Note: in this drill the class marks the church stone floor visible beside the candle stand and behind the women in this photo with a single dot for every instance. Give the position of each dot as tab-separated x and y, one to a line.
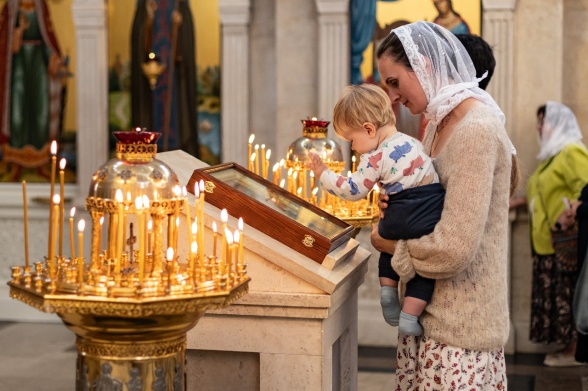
41	356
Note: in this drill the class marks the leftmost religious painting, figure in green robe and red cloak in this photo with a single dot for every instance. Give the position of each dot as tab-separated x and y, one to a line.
37	41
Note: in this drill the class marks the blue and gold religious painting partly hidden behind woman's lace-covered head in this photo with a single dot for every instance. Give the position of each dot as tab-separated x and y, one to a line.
371	21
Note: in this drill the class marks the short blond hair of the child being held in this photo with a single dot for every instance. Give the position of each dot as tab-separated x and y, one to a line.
359	104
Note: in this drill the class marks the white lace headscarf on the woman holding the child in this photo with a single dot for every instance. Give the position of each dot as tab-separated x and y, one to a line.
450	78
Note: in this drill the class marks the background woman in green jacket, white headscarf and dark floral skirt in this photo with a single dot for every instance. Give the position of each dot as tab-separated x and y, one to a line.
552	196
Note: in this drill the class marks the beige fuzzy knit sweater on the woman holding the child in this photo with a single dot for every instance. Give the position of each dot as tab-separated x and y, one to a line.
467	251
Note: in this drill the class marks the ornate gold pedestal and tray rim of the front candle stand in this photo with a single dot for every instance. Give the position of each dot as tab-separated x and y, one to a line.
134	343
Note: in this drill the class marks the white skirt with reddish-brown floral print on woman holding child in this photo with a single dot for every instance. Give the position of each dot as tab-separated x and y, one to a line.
425	364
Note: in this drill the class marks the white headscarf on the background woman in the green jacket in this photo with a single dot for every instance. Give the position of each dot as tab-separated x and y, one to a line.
560	128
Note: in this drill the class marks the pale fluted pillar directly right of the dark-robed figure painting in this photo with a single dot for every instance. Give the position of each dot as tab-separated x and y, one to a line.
234	16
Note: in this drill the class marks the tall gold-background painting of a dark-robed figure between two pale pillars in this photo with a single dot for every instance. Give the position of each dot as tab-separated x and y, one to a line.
164	73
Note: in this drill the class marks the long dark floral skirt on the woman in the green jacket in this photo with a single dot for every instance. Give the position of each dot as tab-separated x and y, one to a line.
554	279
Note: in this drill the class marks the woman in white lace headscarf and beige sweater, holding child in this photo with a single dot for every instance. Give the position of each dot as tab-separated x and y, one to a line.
427	69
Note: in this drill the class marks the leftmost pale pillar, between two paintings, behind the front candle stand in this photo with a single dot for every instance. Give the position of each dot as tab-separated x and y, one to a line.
92	94
